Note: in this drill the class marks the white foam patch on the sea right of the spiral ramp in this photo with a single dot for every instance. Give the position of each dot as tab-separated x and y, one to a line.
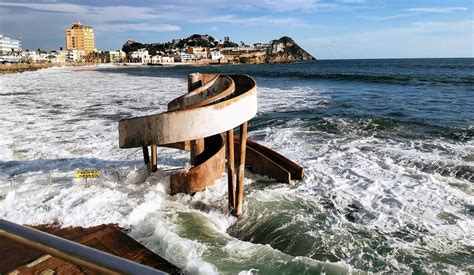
391	192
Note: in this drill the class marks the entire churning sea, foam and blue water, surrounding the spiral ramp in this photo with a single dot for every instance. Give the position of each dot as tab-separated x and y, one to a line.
387	147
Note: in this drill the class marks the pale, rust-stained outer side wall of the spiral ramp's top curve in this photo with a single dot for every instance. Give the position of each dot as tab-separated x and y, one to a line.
190	124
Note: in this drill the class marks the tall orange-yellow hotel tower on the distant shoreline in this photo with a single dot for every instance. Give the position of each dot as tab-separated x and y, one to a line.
80	37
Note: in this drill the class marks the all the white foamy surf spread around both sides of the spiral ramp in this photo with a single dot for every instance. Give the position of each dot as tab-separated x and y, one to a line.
53	122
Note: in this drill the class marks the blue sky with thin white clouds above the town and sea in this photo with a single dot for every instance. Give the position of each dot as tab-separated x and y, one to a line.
327	29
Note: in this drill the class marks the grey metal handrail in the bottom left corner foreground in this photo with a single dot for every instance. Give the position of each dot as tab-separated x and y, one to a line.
72	252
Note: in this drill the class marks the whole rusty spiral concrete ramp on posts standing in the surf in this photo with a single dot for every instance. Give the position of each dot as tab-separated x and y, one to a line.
203	121
